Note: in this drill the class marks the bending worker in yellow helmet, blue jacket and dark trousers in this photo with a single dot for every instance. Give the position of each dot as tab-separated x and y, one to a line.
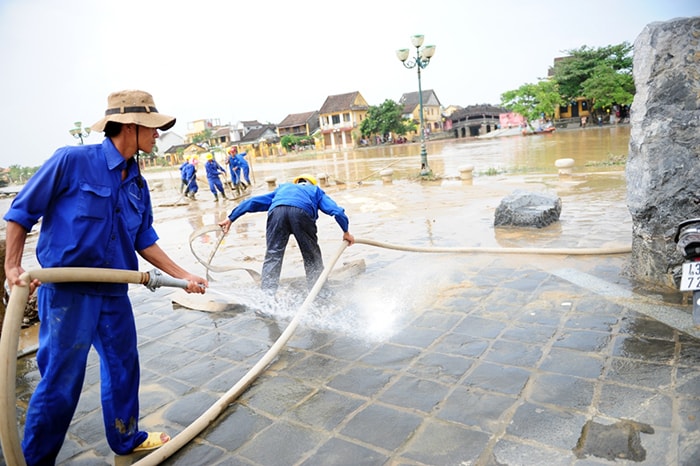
292	209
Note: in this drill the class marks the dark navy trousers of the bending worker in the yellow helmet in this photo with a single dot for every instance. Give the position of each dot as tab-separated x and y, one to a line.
283	221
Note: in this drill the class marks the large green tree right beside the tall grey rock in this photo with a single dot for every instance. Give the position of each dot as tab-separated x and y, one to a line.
603	75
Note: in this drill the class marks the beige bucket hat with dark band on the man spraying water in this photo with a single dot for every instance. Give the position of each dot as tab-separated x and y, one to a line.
134	107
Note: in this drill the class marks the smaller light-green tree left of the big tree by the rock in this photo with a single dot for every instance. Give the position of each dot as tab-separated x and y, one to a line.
533	100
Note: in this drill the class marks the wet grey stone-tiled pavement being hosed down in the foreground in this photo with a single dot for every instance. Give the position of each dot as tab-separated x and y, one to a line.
445	359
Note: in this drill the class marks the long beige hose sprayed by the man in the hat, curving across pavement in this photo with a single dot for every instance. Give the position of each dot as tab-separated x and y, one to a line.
9	339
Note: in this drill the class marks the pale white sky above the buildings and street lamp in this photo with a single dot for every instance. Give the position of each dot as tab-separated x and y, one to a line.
234	60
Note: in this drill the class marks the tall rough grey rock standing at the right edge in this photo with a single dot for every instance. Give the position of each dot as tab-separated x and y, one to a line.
663	166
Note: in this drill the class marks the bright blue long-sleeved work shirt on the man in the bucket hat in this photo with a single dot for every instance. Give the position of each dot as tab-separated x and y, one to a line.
90	217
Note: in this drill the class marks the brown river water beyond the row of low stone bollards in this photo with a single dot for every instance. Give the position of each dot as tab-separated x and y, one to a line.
591	148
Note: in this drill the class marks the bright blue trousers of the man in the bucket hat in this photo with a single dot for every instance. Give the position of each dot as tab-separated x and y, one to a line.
70	324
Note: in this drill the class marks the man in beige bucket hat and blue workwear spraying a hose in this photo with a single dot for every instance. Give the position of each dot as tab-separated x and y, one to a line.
96	212
